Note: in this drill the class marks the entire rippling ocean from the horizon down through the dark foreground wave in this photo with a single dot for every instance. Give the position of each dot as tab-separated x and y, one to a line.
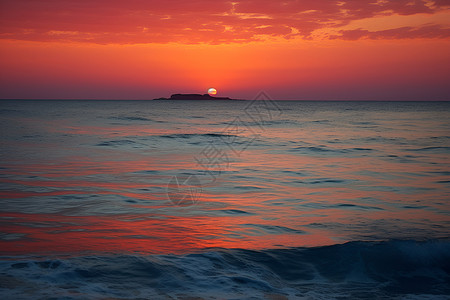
224	200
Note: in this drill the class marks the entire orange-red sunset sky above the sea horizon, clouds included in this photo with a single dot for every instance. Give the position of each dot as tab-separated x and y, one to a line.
290	49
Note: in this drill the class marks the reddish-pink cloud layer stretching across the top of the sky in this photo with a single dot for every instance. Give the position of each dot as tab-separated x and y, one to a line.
199	21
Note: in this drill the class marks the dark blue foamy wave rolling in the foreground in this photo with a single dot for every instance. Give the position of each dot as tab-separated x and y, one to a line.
355	270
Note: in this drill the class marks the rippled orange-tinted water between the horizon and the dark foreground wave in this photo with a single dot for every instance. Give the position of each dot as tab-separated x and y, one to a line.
94	177
